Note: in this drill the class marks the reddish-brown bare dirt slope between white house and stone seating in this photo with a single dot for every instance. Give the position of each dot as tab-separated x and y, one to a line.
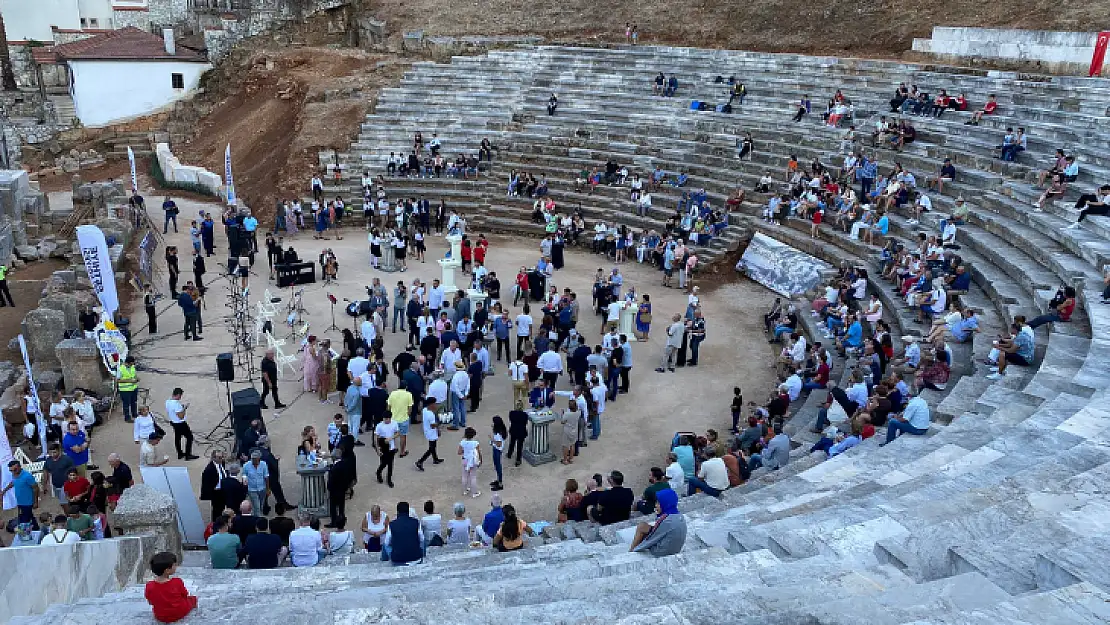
279	106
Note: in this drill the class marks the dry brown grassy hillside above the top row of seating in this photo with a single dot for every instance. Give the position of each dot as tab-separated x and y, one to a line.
857	27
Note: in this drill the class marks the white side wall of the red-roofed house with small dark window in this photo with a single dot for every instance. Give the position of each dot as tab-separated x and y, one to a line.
110	92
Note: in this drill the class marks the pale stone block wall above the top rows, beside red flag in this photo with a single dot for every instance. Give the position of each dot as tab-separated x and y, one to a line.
1063	52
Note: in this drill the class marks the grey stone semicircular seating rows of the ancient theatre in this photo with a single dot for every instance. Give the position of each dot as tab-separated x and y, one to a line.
997	517
